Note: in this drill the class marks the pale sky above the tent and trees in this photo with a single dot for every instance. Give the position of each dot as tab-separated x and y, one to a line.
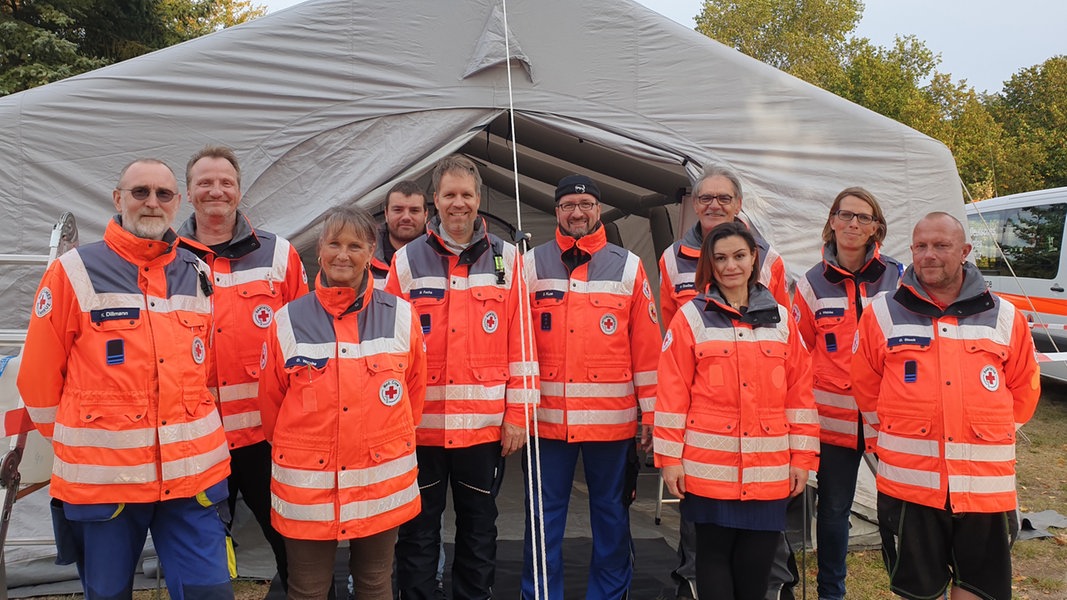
984	42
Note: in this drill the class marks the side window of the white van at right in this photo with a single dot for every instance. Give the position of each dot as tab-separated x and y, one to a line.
1030	238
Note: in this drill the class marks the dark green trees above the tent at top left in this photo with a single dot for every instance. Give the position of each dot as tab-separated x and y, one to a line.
45	41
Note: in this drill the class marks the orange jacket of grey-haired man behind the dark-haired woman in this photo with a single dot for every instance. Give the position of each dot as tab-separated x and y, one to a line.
678	271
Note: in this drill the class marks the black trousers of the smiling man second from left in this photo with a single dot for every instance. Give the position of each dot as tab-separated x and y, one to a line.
250	475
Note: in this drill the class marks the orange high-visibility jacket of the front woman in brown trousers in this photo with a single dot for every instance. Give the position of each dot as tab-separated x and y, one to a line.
341	394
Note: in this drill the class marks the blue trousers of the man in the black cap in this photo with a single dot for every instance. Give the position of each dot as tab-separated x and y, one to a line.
612	564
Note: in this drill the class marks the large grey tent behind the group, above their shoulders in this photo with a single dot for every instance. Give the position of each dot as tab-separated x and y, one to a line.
329	102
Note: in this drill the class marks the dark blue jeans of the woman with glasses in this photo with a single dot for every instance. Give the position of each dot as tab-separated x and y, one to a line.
838	468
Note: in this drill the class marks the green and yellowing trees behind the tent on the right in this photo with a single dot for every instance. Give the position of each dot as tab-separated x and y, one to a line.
1004	144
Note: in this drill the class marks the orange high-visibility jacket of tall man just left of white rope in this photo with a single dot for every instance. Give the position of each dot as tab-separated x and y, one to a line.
479	372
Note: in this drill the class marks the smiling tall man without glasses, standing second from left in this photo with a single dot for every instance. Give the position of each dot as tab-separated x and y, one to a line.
254	274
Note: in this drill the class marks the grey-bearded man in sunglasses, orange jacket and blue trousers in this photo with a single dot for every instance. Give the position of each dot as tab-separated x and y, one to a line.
120	343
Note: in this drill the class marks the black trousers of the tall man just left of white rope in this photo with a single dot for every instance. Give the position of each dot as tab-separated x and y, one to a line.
475	475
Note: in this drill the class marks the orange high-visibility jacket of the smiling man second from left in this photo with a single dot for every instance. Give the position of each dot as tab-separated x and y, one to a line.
253	278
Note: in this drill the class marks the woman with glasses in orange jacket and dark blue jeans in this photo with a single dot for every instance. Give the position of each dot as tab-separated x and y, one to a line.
827	306
